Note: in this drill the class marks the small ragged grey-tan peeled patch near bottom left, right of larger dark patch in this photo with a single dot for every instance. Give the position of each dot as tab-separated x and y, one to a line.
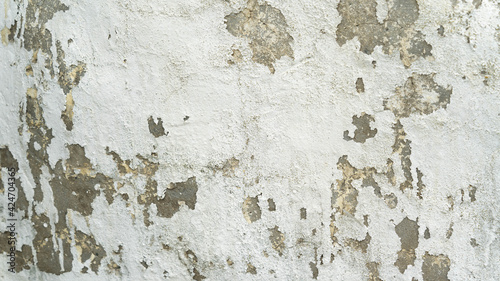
90	249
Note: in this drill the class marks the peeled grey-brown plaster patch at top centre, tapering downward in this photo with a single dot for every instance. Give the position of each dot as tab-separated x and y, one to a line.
266	28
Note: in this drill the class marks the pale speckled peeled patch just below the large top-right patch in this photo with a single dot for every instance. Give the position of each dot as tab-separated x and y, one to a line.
419	95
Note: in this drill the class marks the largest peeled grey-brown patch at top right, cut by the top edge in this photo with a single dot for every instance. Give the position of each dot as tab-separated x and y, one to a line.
397	32
